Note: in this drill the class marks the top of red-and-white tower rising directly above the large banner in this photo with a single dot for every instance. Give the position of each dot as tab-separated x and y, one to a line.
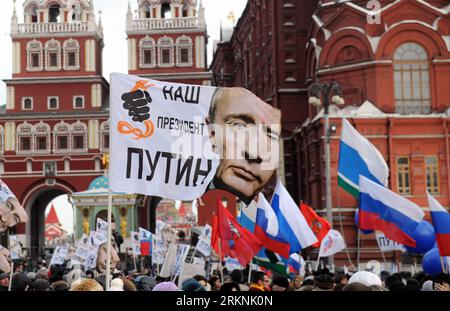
167	41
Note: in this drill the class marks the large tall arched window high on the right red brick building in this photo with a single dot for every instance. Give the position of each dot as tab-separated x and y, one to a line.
412	79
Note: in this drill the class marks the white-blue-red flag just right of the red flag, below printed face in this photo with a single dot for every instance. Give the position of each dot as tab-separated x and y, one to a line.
267	228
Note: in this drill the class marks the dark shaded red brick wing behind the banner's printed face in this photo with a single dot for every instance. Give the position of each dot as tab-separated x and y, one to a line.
265	54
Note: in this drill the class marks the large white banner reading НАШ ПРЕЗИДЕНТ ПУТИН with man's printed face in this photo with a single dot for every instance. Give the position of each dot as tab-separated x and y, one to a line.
178	141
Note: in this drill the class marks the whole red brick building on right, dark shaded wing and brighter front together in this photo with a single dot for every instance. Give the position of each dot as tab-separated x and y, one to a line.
394	74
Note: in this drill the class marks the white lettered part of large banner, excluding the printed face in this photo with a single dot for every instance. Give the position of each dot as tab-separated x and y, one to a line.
154	124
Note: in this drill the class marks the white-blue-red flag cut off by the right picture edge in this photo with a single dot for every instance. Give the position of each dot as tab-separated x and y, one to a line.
441	223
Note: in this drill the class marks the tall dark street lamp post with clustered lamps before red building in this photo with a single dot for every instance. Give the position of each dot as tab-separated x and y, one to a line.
327	90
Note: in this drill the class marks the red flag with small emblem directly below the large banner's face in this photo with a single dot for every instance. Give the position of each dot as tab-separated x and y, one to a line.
236	241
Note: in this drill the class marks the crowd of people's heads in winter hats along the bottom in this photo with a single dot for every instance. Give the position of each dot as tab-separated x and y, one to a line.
71	277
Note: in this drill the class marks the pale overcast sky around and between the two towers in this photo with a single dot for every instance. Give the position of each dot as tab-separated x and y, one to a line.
115	58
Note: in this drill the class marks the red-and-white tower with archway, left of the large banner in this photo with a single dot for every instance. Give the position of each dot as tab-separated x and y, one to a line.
55	128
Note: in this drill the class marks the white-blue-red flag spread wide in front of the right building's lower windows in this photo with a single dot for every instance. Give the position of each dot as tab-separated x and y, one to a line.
384	210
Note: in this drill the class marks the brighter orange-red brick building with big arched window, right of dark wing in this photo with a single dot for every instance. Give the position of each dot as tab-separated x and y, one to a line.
395	76
